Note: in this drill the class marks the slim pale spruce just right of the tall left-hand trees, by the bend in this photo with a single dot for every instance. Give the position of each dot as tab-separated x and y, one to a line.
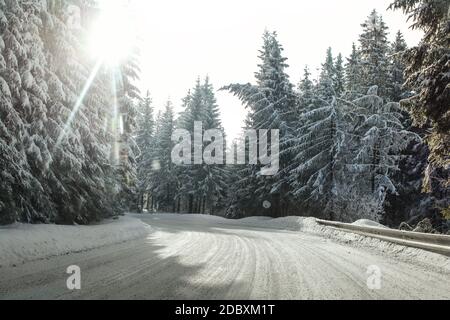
145	142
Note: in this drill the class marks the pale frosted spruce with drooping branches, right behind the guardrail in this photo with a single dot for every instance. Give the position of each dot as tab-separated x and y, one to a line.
380	139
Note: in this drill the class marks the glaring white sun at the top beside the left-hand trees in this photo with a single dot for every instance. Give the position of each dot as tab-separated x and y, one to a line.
113	34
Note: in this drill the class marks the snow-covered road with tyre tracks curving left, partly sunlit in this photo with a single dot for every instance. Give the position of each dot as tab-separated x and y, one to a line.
199	258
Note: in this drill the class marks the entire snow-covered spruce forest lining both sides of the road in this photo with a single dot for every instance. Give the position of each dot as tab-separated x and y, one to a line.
367	138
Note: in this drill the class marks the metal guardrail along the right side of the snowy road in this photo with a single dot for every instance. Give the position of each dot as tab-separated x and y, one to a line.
430	242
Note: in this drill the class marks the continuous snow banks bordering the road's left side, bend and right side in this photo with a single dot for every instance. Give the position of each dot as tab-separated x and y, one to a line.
22	243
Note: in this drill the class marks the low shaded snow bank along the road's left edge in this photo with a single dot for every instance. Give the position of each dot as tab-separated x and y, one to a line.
20	243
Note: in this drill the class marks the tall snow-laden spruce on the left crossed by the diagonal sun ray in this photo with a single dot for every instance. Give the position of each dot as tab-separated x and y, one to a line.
82	180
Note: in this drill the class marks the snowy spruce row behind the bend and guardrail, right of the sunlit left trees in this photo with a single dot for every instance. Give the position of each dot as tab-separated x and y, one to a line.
349	150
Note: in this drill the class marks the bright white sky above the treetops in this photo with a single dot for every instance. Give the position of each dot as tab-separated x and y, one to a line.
182	40
